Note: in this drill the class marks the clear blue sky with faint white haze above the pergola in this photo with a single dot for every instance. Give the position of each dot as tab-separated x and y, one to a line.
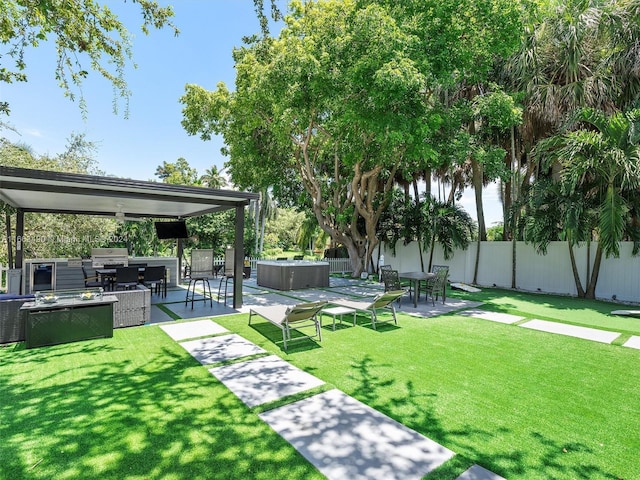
134	147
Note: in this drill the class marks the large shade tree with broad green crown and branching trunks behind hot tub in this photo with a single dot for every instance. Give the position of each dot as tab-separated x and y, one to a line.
335	103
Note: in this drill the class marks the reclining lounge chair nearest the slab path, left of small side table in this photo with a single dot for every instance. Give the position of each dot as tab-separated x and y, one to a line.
287	317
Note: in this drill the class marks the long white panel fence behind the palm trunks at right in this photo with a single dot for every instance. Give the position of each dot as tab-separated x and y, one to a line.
619	278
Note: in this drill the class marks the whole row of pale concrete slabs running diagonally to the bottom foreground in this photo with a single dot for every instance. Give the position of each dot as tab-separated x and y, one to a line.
341	436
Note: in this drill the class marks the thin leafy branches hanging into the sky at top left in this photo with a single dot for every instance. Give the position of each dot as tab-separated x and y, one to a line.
87	36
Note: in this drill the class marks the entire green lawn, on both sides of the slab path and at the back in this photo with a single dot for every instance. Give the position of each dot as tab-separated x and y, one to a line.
522	403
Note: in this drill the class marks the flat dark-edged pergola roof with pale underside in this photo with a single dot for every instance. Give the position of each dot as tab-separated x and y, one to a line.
56	192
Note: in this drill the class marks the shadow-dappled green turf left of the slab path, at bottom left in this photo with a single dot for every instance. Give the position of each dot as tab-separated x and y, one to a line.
137	406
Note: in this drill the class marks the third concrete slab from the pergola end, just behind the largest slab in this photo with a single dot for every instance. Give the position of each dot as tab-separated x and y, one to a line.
264	379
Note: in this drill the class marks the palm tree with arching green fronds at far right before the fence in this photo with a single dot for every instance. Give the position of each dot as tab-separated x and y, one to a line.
600	163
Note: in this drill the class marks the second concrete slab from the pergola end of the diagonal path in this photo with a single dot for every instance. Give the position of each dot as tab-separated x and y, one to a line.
220	349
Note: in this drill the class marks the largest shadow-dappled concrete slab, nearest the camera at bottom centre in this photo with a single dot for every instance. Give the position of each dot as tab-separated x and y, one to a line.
344	438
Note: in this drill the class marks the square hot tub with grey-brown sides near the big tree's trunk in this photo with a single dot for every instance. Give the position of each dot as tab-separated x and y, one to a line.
292	275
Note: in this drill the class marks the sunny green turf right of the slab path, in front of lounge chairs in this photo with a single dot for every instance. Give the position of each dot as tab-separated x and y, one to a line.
522	403
